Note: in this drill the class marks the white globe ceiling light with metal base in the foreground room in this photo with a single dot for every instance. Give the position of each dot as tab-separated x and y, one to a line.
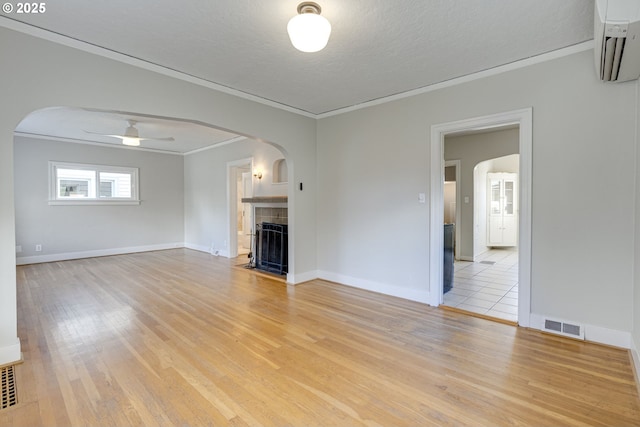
309	31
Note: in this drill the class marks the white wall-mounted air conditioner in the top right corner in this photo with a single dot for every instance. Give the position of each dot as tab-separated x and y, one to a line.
617	39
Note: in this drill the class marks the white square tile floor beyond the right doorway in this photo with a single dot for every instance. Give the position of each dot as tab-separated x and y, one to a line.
488	286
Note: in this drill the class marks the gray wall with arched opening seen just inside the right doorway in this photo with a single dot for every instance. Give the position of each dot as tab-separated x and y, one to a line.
471	150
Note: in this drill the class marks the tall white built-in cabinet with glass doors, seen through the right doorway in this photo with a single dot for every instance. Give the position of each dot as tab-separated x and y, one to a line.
503	209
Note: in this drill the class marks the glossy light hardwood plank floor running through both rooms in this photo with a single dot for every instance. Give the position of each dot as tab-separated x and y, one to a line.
180	337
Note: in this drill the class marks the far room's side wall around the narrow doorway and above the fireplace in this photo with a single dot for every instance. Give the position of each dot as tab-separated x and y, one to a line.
205	197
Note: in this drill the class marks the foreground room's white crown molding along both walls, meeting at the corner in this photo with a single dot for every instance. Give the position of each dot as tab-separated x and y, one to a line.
100	51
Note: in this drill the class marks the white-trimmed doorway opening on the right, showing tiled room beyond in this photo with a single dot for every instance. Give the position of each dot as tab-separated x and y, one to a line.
486	283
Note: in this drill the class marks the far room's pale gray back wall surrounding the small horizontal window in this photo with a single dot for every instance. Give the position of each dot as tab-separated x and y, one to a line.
75	231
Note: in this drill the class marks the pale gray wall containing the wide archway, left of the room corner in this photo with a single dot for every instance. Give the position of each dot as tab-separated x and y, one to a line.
37	73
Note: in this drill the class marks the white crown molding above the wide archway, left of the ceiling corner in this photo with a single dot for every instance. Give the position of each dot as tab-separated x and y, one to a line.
137	62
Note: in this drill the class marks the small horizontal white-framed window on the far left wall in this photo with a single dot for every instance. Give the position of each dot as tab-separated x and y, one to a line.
73	183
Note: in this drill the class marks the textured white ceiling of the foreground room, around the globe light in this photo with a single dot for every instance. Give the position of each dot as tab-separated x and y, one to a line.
378	48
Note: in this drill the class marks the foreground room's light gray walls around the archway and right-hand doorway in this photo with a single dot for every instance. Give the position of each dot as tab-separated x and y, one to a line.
359	220
